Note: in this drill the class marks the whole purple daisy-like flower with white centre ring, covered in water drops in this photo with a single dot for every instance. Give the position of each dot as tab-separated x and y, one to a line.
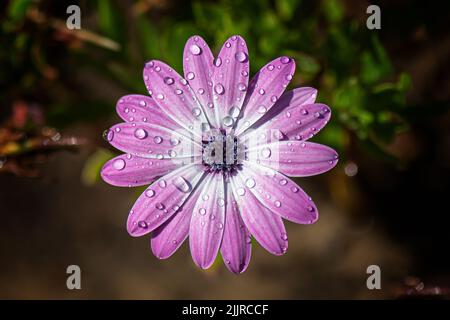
216	151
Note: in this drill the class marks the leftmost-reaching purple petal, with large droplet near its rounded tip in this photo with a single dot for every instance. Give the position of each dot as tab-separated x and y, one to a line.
132	171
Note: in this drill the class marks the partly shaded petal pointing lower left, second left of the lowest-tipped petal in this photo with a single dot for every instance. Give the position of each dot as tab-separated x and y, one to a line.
167	238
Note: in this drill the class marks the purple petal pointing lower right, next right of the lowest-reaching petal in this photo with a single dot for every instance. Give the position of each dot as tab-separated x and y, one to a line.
265	226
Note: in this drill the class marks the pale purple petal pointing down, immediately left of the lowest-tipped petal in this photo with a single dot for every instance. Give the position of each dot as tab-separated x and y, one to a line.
207	222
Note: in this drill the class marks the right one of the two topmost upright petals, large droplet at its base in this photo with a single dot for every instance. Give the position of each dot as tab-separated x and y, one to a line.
230	80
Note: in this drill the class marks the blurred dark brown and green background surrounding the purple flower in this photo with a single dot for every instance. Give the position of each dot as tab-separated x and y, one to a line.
384	204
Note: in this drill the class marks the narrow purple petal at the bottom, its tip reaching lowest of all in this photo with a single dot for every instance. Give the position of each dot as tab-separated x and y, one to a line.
236	245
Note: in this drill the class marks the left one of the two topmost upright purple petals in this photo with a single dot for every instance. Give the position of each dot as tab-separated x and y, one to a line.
198	69
